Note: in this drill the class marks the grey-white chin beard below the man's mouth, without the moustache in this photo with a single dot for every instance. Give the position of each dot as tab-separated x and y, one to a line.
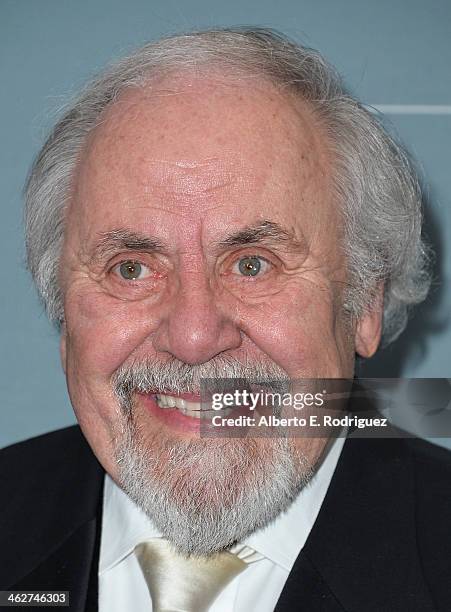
204	495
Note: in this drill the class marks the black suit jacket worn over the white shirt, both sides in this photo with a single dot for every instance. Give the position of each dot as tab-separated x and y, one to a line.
381	543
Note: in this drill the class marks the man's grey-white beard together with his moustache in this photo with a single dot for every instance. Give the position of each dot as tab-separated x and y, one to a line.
204	494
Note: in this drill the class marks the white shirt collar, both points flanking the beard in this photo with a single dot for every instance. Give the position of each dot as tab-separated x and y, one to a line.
124	525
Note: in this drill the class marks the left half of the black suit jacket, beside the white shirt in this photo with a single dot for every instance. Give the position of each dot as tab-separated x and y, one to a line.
51	533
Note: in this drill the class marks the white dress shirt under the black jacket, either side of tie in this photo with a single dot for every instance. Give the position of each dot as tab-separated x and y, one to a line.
258	587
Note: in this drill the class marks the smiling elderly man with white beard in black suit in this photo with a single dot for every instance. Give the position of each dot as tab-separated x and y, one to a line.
217	205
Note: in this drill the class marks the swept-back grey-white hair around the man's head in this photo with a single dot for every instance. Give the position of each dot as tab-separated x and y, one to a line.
376	185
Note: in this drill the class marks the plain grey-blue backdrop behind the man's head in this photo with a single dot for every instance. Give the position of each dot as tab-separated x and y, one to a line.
390	52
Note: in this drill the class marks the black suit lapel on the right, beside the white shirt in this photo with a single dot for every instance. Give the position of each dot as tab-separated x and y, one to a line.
361	553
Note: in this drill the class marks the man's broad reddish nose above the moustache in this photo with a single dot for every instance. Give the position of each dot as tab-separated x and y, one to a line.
195	329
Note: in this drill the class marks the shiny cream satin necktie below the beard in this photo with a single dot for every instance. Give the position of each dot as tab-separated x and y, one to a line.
188	584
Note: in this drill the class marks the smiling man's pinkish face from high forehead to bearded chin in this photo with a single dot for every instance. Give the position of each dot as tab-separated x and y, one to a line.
203	231
